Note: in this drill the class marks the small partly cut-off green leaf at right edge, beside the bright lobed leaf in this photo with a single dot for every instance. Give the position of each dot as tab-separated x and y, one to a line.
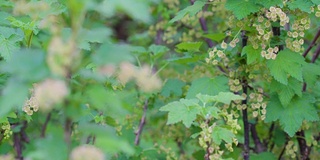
310	73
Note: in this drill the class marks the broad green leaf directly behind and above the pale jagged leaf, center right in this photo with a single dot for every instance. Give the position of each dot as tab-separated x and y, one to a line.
209	86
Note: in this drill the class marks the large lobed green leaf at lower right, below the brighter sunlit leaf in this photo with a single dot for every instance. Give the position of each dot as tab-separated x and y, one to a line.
292	116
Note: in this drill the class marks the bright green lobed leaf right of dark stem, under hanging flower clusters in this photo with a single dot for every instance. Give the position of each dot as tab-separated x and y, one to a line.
286	63
